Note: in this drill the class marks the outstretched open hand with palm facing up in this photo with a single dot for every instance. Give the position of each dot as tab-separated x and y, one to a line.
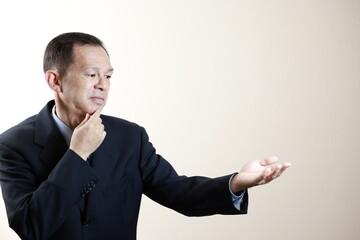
258	172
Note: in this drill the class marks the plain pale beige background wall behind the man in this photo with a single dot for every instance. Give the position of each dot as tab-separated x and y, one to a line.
216	84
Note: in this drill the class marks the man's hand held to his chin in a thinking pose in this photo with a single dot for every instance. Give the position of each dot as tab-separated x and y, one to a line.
88	135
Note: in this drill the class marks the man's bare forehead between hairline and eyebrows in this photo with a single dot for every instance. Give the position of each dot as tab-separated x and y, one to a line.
91	56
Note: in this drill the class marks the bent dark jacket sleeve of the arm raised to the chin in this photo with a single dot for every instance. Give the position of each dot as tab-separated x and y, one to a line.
37	209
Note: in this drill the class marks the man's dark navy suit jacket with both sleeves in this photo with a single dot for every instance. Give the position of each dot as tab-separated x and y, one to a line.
52	193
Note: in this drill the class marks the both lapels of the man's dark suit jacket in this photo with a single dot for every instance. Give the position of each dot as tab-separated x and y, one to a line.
103	160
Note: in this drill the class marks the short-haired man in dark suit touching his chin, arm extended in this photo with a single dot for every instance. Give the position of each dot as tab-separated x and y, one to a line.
70	173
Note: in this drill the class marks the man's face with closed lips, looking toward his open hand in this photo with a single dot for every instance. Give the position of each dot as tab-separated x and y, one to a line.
86	83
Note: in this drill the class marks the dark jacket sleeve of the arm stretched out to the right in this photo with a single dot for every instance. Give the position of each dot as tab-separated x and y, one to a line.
191	196
